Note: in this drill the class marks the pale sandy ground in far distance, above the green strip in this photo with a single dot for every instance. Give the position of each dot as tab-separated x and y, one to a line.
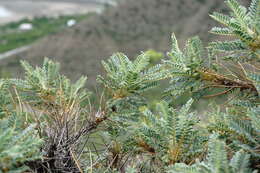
13	10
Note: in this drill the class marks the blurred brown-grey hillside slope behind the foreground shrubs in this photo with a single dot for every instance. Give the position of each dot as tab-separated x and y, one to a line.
131	27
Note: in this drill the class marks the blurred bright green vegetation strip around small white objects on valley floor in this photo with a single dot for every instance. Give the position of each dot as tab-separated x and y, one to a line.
12	37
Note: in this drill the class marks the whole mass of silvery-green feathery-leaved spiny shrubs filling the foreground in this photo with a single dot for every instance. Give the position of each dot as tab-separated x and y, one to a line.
50	124
